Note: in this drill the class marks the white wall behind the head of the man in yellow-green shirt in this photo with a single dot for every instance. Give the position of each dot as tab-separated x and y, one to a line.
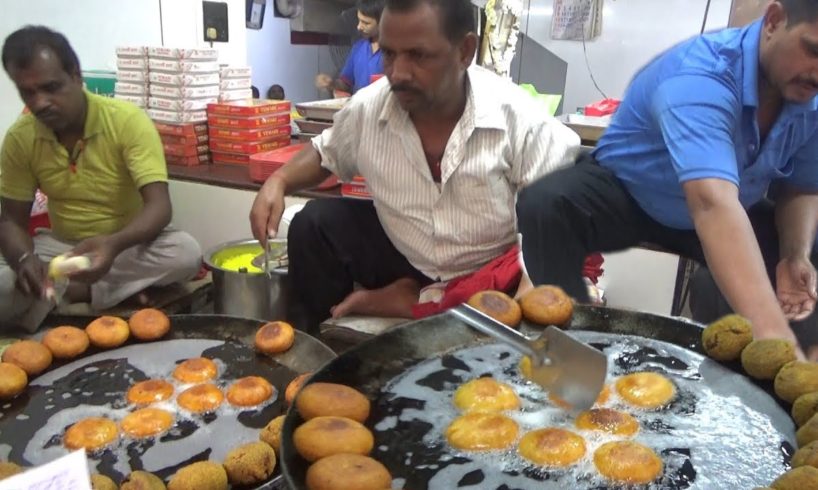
100	25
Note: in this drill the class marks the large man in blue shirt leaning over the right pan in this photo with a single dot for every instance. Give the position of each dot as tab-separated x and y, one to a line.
703	131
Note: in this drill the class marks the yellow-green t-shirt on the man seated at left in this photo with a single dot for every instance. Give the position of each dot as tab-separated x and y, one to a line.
120	153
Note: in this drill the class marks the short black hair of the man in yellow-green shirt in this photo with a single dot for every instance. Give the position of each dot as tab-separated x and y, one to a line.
22	45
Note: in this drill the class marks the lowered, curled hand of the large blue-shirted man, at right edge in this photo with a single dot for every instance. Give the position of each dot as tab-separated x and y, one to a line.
795	288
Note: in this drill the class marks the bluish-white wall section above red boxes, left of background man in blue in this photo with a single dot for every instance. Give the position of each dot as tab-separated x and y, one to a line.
276	61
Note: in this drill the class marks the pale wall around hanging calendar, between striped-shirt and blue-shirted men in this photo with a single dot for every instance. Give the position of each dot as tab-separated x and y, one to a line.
633	32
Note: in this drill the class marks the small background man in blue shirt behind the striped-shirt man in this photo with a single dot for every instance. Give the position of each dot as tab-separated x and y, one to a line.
365	59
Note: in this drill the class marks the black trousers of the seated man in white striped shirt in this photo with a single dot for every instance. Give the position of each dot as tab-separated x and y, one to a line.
334	244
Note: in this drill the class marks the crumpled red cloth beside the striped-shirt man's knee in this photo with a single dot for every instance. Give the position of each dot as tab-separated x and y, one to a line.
501	274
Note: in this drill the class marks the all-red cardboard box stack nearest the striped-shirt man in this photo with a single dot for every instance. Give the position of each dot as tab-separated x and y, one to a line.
242	128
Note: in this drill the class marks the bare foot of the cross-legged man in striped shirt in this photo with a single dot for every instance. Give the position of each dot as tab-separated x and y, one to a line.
394	300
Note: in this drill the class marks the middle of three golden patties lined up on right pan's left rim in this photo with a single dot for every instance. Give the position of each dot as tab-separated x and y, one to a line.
324	436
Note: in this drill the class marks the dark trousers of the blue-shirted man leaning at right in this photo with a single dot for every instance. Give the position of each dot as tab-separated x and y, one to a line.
578	210
